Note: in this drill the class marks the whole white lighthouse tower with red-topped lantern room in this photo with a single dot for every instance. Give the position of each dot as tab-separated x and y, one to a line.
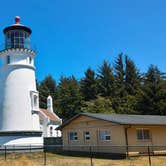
19	99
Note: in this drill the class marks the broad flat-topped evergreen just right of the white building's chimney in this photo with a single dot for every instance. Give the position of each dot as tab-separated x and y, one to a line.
69	97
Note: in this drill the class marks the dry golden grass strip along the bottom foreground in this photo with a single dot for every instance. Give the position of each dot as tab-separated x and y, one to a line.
58	160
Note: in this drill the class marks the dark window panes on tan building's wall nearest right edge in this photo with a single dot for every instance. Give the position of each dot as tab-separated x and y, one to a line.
143	134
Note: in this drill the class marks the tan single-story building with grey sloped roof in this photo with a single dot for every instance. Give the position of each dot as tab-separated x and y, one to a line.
115	133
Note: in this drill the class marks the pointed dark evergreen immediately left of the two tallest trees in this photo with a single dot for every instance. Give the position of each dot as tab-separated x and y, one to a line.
106	80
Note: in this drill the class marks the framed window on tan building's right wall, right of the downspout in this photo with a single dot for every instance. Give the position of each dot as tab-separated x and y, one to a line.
143	135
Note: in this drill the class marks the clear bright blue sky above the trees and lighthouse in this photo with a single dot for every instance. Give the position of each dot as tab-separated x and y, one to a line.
72	35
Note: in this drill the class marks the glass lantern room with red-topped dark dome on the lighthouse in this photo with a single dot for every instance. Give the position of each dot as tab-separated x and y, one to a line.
17	35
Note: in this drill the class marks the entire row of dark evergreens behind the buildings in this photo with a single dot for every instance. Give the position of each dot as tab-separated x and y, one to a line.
119	88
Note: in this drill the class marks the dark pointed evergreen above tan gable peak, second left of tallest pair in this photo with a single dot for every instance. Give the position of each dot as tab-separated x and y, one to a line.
88	85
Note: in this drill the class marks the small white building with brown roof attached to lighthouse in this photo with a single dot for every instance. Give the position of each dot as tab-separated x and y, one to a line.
49	121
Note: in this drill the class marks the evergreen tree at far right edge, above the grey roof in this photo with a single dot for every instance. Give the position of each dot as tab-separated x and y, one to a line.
152	100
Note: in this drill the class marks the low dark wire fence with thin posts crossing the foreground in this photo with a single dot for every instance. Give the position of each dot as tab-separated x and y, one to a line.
50	153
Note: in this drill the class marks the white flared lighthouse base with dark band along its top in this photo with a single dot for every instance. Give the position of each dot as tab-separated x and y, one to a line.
24	138
